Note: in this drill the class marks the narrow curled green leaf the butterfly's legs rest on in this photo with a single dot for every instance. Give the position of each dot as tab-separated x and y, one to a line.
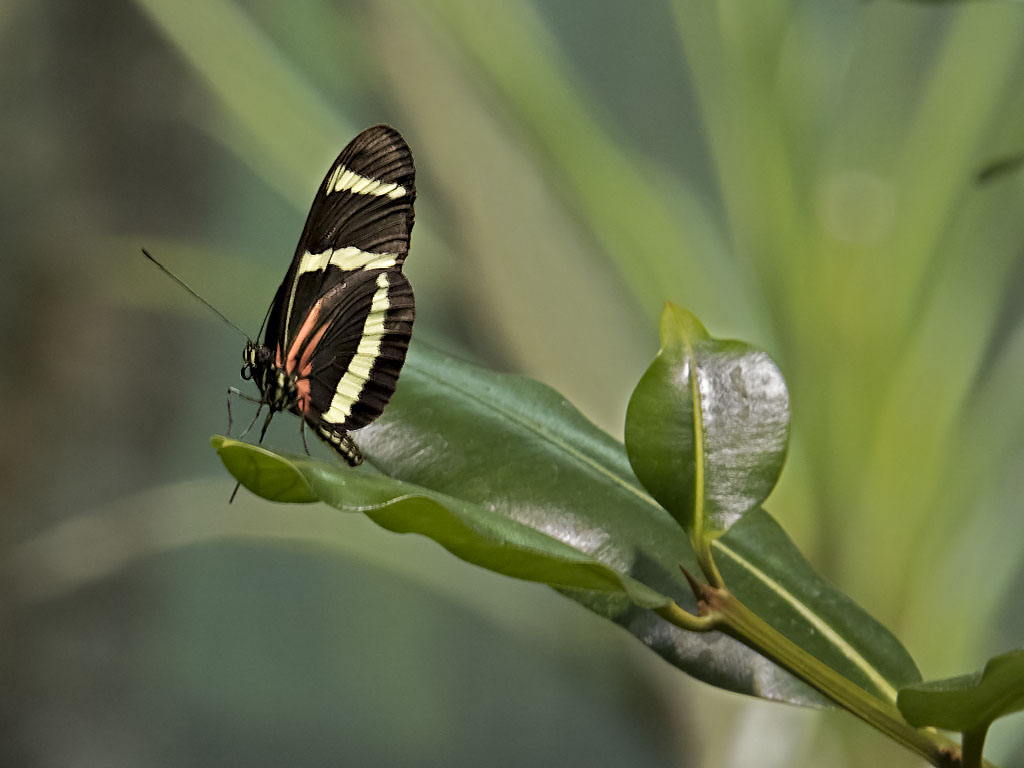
470	532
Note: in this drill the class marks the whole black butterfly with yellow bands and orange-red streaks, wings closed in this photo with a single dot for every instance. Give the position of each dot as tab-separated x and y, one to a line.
335	337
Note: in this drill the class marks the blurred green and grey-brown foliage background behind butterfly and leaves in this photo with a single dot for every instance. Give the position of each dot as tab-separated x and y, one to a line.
802	176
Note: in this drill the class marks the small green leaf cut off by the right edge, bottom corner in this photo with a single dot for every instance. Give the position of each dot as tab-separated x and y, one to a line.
968	703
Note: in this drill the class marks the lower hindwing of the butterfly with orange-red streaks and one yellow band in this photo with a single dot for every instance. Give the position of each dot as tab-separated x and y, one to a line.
350	351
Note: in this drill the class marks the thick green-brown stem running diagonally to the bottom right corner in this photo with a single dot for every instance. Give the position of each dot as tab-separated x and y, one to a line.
730	615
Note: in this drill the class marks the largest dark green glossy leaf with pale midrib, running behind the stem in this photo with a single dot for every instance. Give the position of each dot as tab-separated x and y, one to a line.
517	448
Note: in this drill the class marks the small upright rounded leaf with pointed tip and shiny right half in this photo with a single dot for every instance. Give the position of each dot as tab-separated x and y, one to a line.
708	426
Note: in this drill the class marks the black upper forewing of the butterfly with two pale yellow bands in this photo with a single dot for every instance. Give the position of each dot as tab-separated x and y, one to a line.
361	220
